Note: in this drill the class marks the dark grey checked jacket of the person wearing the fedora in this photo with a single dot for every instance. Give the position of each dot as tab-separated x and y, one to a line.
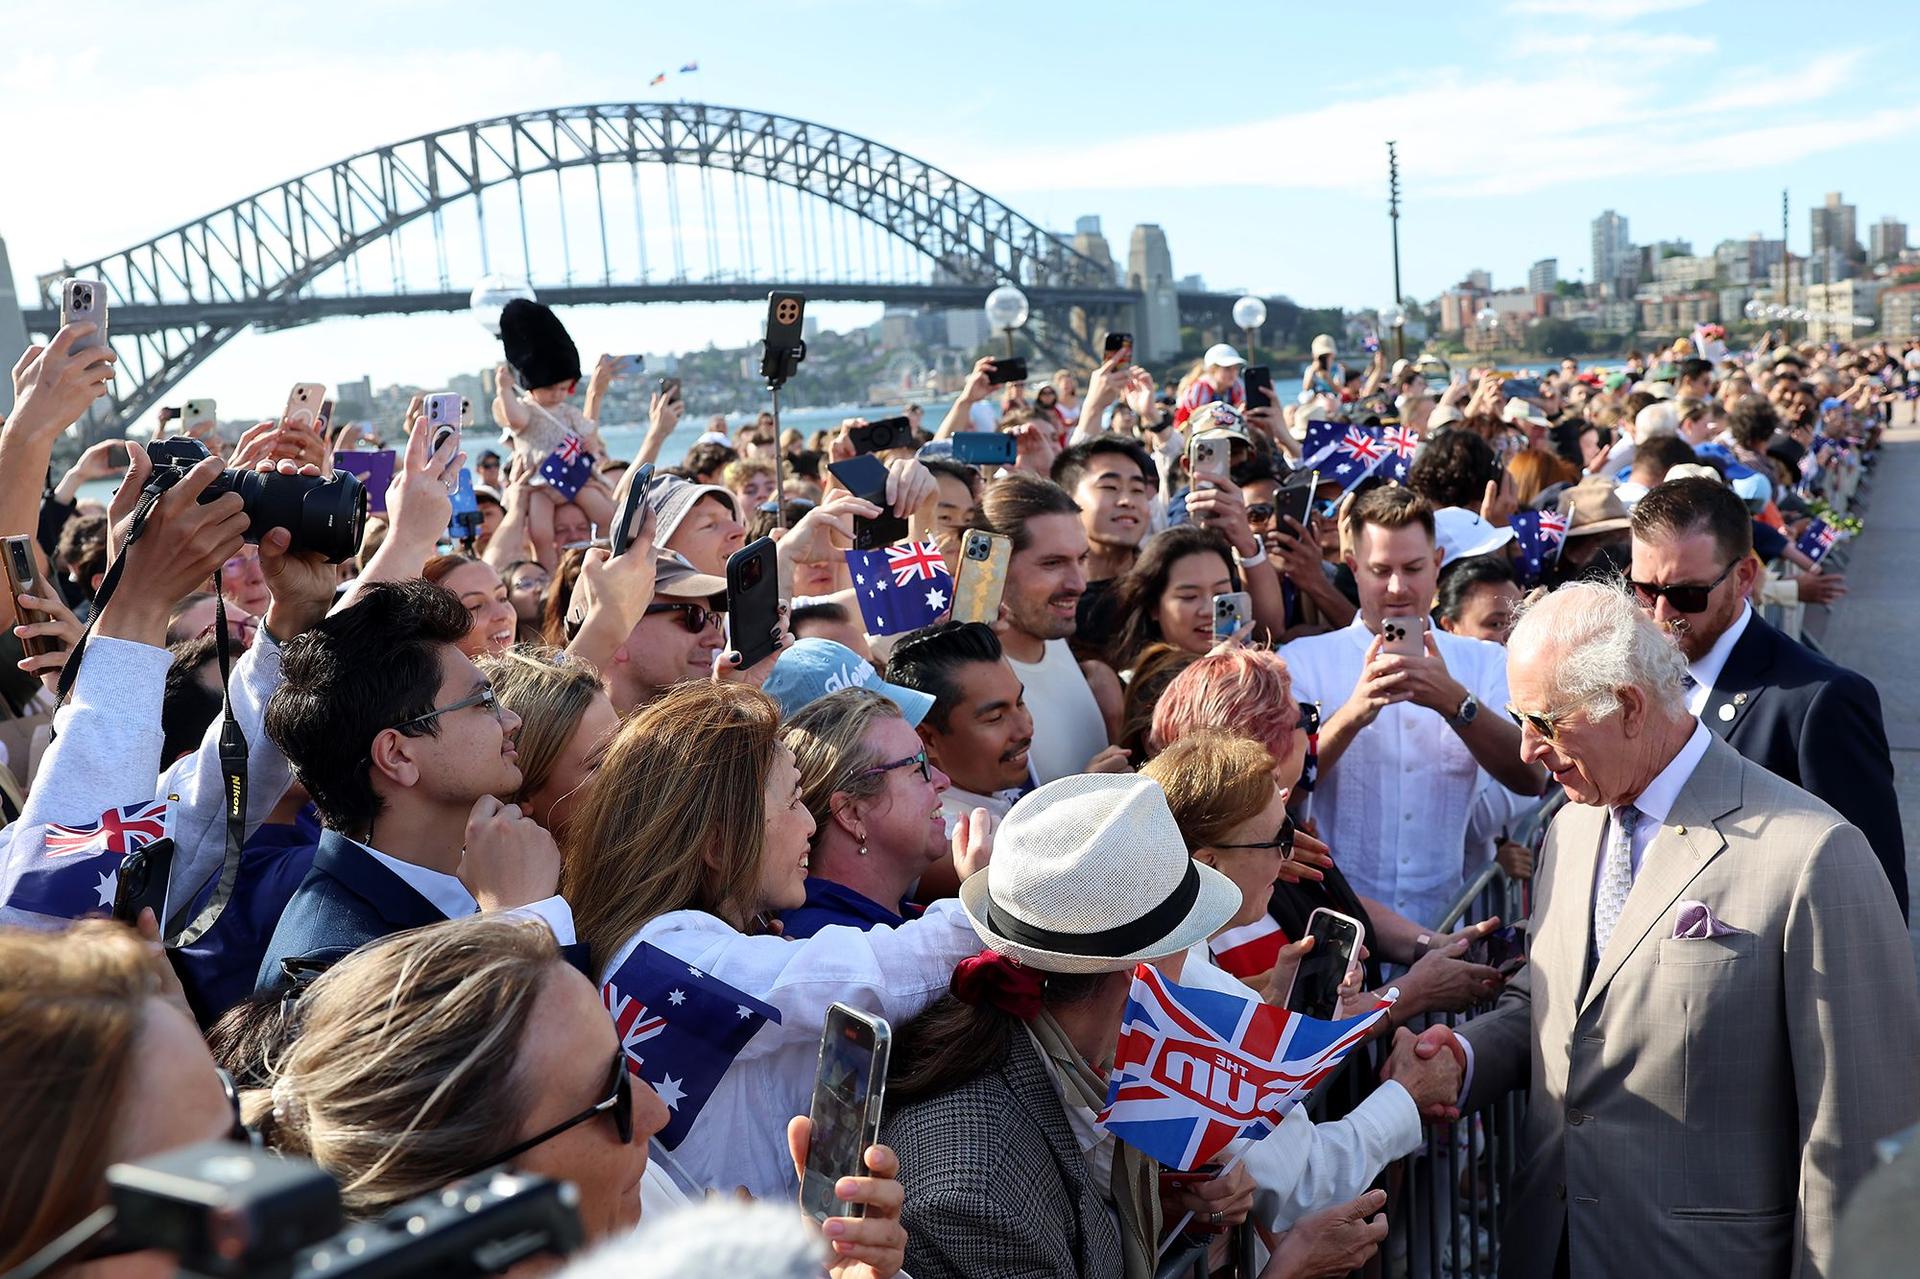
996	1184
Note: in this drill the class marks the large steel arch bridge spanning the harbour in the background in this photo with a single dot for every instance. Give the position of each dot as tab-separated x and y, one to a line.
608	205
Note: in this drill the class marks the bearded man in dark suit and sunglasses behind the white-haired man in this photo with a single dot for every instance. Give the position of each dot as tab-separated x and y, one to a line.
1773	700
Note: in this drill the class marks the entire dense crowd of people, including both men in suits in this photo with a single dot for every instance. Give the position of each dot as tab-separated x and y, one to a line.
439	800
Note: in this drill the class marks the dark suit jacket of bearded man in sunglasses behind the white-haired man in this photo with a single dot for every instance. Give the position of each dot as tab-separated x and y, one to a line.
1817	725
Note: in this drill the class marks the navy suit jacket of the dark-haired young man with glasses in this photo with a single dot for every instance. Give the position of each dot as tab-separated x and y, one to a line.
347	902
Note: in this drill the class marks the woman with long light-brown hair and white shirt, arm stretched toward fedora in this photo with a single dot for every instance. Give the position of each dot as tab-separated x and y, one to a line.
692	838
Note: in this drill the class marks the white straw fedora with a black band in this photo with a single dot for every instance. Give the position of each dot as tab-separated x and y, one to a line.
1092	875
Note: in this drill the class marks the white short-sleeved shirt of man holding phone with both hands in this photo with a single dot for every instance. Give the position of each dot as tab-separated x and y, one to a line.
1395	806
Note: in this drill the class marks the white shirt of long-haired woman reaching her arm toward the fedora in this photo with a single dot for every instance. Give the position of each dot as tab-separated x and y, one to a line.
740	1138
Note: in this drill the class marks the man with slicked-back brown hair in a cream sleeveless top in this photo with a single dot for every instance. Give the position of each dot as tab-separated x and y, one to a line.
1076	706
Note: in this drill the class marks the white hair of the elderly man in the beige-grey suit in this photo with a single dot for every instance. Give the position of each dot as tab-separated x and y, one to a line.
1600	642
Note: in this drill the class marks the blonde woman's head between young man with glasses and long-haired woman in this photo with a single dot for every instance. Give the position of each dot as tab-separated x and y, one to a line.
565	723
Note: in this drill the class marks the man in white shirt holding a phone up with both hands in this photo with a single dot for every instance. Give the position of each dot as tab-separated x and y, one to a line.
1404	756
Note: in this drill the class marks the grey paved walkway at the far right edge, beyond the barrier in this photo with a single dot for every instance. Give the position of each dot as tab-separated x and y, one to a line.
1877	627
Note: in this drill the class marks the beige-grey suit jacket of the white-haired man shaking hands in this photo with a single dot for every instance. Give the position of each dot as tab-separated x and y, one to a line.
1704	1107
